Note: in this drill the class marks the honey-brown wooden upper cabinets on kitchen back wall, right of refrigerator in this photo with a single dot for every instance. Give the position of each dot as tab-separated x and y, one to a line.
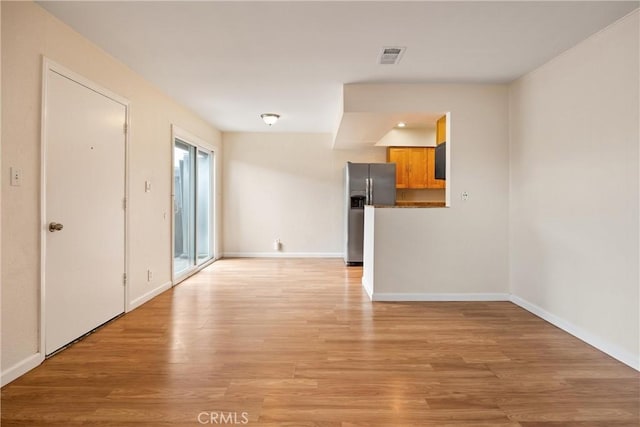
415	167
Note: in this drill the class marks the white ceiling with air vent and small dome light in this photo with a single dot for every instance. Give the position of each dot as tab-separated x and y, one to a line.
232	61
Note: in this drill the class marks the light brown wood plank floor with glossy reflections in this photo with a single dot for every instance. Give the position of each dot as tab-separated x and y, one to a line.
297	343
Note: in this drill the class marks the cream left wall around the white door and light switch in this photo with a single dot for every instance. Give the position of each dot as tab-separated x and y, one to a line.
28	32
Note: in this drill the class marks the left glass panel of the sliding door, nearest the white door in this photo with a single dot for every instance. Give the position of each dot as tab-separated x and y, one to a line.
183	209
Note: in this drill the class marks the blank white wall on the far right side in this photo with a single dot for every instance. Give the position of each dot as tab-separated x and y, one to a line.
574	190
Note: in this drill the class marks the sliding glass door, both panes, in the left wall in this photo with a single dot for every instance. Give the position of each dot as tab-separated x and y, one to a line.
193	208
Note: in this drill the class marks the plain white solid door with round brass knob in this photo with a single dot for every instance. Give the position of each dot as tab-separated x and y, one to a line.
84	192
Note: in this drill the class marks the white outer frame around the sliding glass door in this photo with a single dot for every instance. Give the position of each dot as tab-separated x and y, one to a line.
200	144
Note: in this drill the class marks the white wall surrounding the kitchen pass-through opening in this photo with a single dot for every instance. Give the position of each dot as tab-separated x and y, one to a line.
461	249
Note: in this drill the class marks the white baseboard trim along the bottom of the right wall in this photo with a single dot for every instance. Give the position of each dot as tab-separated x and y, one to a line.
612	350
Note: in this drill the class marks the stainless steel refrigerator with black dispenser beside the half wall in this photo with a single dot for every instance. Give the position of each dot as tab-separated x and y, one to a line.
365	184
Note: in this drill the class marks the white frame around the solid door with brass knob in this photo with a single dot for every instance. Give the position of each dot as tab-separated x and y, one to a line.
47	66
